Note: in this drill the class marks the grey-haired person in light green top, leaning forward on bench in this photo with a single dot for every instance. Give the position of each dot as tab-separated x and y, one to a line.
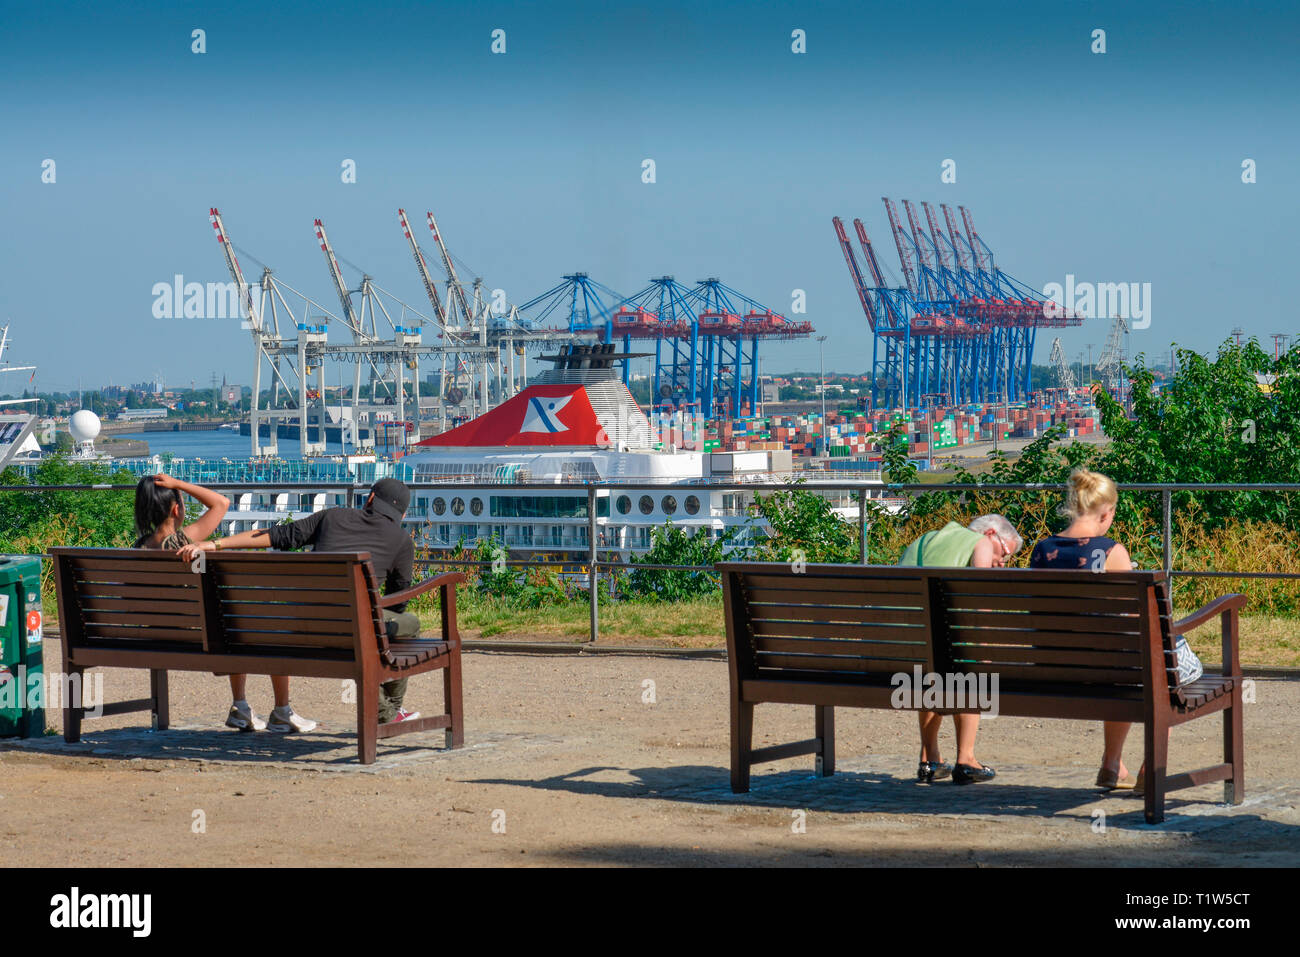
990	542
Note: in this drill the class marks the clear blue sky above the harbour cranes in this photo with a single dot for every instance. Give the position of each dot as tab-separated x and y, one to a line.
1124	167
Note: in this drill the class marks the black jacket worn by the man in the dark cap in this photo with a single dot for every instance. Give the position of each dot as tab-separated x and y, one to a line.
356	530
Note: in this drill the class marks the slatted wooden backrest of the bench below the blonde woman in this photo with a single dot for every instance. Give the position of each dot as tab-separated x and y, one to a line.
1035	630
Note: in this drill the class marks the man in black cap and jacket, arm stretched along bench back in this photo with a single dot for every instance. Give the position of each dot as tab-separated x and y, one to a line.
376	529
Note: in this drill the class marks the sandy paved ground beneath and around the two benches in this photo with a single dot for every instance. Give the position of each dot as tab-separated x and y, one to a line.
569	763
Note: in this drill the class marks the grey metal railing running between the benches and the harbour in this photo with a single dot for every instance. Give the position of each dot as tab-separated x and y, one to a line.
592	565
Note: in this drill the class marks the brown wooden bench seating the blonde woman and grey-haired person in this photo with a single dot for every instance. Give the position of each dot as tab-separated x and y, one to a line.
1063	644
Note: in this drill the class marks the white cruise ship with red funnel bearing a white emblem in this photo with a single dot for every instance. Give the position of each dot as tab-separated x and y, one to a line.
522	474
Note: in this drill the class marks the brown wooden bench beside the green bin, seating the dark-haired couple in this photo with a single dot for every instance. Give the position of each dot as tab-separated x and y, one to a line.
301	614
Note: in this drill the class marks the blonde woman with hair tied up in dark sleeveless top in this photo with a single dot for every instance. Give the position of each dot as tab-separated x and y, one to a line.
1091	500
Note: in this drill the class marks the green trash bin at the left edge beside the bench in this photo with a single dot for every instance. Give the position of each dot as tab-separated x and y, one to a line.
23	692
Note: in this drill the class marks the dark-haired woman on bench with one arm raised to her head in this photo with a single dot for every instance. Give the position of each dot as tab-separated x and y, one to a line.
161	523
